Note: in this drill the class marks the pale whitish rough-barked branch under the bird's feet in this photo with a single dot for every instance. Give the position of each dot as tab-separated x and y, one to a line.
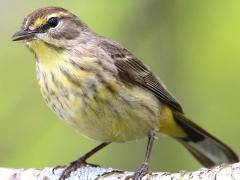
231	171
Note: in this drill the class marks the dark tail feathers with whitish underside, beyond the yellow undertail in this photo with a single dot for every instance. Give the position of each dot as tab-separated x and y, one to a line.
208	150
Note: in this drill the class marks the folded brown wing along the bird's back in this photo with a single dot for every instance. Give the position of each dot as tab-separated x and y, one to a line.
133	71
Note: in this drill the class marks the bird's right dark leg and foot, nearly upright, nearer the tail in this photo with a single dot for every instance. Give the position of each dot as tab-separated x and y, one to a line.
143	170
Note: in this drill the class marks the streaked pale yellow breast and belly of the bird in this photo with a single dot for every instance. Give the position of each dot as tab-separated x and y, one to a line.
99	105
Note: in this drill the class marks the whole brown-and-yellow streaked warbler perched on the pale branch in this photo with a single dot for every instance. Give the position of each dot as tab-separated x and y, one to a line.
101	89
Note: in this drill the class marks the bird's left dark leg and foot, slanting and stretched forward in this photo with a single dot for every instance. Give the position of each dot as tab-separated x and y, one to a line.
79	162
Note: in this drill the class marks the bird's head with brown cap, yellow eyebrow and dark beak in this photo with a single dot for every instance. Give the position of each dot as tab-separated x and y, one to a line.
53	26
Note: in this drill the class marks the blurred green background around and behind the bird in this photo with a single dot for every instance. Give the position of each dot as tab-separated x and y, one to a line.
192	45
